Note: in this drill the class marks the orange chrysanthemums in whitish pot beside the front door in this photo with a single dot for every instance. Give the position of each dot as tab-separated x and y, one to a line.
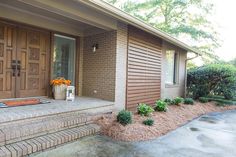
59	87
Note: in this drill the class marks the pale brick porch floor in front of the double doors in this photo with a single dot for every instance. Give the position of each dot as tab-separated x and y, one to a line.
80	104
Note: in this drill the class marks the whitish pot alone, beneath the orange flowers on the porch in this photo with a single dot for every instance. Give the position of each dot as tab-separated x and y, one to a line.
59	92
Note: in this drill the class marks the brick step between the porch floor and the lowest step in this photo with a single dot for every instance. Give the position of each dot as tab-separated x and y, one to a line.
22	130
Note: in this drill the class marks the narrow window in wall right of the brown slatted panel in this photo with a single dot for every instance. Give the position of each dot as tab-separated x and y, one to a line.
171	67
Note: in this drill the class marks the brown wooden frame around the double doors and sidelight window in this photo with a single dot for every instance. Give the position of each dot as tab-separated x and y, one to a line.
51	49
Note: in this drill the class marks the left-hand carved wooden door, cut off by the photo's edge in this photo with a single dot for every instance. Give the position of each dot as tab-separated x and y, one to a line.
7	49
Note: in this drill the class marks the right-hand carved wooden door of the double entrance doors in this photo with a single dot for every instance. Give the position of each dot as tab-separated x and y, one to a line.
33	52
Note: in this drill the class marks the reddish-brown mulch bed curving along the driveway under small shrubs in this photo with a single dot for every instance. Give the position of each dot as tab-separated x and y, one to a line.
164	122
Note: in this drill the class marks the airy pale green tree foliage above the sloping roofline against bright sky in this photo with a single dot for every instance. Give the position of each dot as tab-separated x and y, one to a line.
185	19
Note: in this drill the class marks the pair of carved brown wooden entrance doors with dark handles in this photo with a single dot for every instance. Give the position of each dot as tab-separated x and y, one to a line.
24	61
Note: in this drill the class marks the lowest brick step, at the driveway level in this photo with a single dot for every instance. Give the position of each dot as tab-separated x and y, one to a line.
41	143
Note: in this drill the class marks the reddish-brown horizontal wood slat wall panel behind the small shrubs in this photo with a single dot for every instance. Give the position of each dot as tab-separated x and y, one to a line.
144	68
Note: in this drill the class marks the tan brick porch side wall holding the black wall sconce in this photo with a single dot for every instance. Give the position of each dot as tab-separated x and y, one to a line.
99	67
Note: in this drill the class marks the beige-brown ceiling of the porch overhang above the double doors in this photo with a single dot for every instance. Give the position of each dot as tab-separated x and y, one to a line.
58	15
